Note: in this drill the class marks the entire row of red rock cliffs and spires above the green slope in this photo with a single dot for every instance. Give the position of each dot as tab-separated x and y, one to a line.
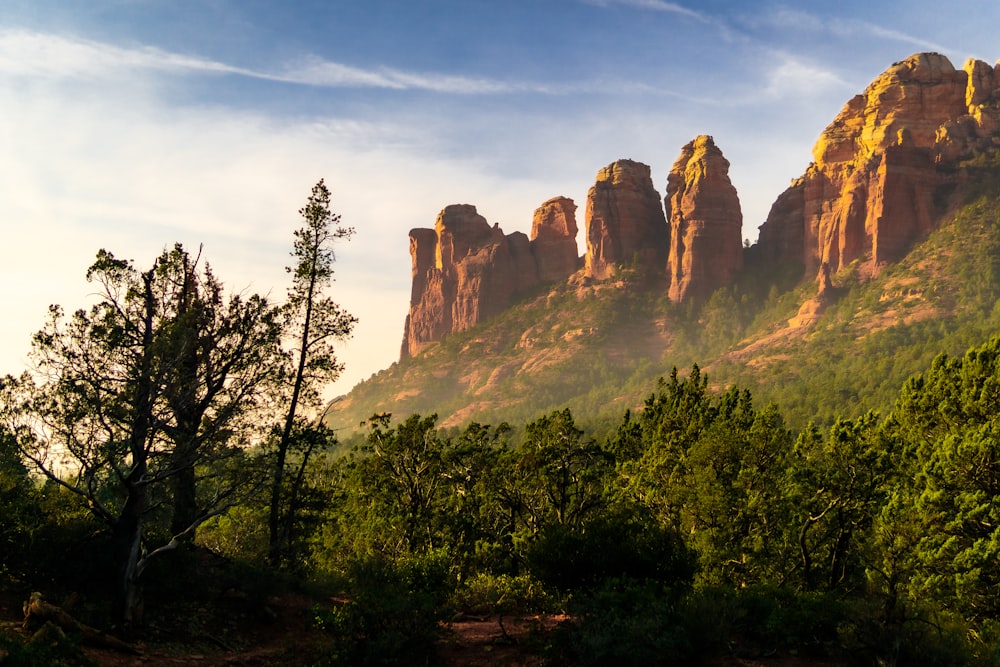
884	173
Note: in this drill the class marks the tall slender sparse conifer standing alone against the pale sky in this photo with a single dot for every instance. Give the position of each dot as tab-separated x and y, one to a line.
313	322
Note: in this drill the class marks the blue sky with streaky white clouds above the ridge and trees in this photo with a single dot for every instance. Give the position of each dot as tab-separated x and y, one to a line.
130	125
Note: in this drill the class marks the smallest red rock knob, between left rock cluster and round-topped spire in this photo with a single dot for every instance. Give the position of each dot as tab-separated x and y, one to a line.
553	239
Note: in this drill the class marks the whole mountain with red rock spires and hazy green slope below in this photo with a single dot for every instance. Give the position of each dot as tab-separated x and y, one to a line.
881	255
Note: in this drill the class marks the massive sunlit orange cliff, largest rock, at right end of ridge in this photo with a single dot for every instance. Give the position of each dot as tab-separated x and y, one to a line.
884	170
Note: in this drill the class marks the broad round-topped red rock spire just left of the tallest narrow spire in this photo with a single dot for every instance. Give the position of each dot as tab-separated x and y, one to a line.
624	220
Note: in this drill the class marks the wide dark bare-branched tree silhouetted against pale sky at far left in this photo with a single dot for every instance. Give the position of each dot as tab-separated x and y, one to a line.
140	402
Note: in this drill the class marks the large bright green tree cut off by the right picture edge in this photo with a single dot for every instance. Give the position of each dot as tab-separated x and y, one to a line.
949	420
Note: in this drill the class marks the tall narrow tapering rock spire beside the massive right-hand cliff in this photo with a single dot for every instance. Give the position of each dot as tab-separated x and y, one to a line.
706	223
